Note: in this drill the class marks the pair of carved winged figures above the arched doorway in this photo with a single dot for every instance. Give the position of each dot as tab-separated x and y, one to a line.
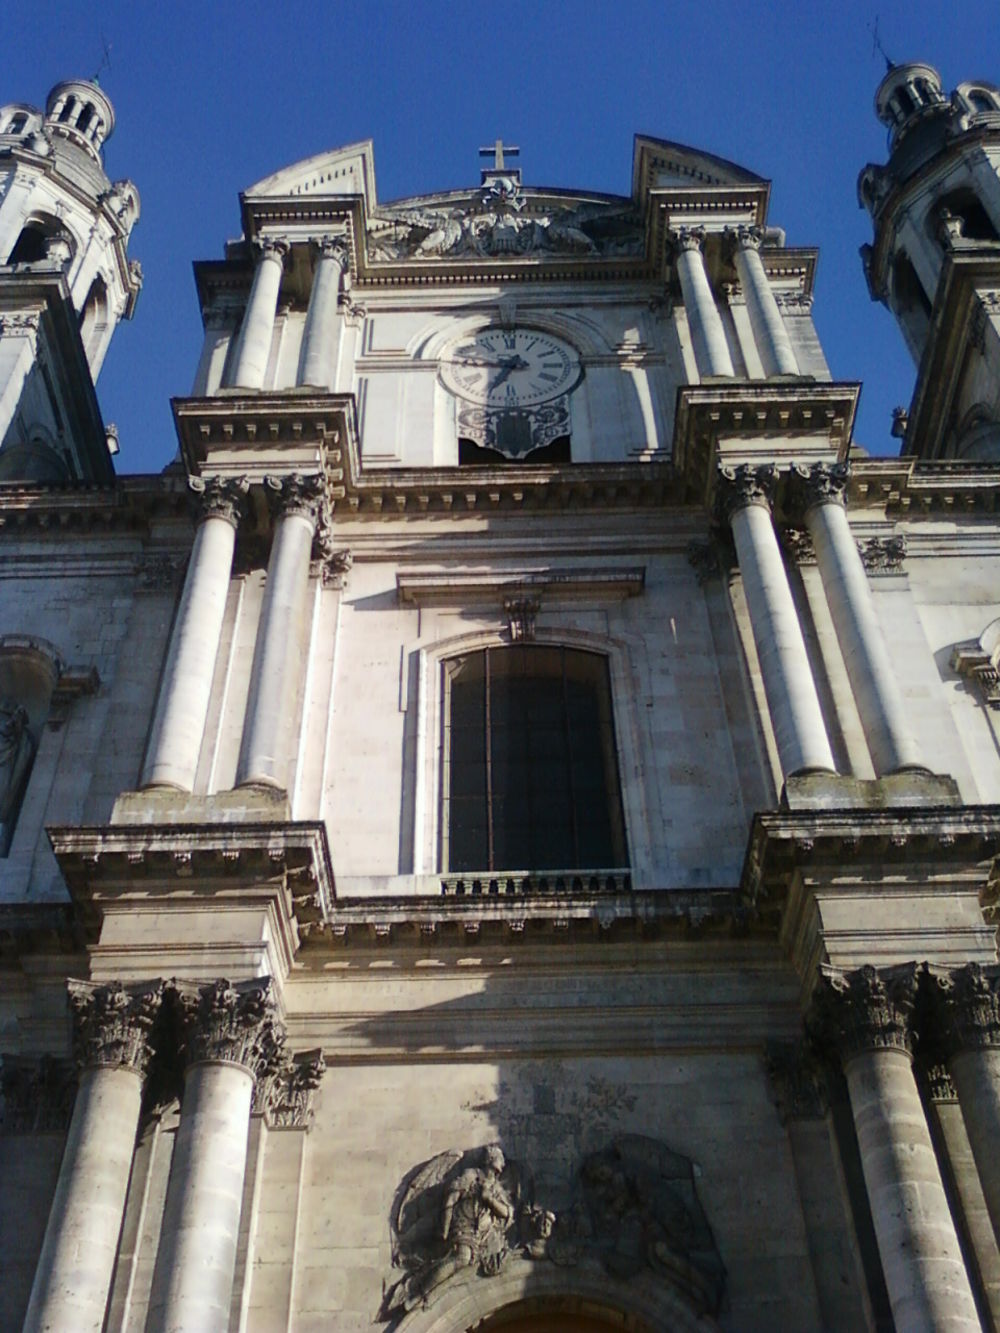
633	1207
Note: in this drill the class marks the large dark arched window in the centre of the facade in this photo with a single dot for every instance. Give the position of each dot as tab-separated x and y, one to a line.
531	778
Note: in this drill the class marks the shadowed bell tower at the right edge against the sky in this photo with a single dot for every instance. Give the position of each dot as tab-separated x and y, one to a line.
935	258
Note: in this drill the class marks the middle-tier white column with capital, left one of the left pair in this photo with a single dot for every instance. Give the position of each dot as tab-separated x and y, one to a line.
179	724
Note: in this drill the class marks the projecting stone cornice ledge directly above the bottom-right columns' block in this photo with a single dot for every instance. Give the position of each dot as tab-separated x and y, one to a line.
959	842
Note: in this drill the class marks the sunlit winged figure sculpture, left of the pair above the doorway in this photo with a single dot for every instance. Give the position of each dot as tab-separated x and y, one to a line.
458	1211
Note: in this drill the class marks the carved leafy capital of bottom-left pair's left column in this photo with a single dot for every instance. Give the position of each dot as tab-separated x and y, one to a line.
111	1024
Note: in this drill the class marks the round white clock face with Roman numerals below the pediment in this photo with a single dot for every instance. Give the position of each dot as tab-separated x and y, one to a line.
510	369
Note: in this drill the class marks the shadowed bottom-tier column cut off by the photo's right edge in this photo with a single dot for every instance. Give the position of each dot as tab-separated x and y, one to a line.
973	1012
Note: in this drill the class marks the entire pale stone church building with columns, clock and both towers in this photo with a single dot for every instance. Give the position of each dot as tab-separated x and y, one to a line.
502	834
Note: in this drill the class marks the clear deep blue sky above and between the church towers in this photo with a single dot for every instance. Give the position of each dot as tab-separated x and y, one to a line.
210	98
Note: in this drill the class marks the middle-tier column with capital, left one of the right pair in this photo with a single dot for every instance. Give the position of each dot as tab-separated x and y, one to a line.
791	692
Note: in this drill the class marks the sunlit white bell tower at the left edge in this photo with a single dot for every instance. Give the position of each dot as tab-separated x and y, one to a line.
66	281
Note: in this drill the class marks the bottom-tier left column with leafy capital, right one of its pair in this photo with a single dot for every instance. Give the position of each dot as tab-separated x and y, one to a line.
231	1038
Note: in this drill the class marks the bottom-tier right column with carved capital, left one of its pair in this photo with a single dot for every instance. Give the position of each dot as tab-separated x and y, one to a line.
867	1018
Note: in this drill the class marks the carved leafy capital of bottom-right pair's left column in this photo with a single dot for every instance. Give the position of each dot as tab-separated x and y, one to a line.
867	1010
